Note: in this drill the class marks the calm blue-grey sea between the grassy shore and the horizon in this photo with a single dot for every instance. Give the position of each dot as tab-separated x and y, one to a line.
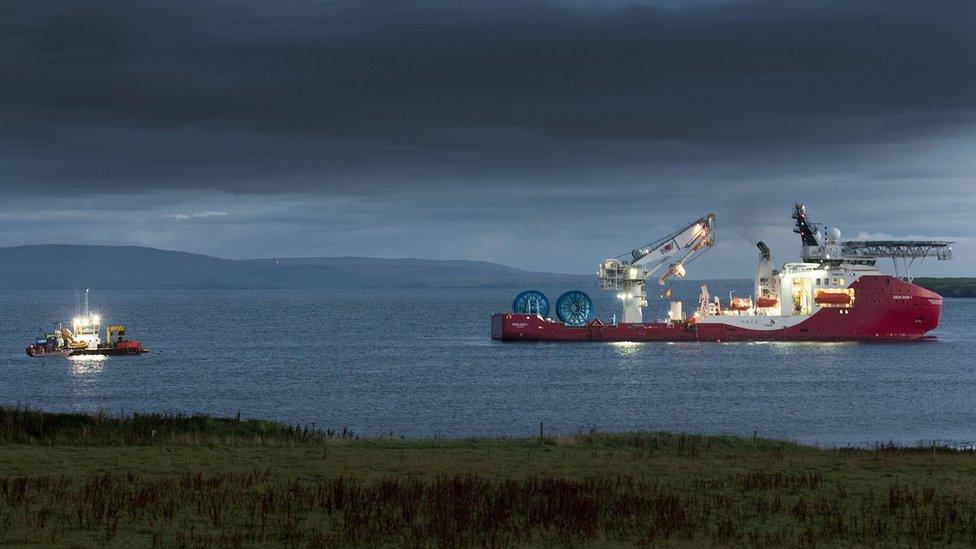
421	363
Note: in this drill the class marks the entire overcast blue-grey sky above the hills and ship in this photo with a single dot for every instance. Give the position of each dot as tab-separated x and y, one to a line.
541	135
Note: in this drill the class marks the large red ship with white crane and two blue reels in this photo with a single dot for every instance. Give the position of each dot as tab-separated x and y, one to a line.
835	294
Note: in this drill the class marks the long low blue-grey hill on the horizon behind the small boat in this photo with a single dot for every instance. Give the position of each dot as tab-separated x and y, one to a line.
130	267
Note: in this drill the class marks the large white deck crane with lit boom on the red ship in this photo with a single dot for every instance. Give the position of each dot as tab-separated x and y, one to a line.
627	274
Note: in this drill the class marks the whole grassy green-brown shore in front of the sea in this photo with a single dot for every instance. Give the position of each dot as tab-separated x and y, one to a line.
155	480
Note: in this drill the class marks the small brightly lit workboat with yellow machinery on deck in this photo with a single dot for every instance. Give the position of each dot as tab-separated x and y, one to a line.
84	338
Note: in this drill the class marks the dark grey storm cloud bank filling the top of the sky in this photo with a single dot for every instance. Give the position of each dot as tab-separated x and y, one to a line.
361	97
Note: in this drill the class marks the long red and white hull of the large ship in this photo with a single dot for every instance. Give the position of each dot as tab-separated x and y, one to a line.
886	309
